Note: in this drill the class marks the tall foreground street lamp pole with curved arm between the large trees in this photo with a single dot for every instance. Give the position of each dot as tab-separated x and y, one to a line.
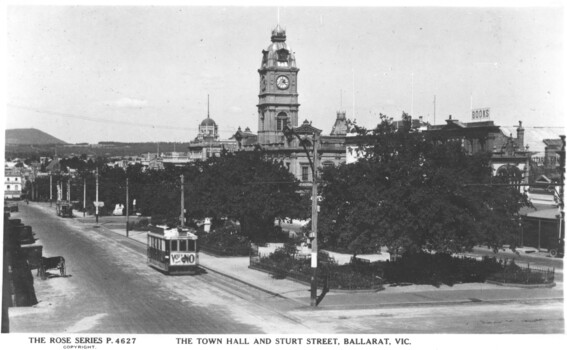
307	134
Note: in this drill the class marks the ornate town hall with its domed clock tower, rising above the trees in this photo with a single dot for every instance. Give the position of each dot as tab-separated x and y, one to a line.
278	107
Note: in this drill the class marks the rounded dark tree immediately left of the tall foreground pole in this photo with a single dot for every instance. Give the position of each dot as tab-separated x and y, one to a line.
247	187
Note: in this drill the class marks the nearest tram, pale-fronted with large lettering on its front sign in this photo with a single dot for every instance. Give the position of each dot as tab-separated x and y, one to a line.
173	250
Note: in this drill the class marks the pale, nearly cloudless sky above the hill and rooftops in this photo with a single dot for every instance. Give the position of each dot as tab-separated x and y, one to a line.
143	73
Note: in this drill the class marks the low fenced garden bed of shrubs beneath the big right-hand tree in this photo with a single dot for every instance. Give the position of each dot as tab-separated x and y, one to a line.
422	268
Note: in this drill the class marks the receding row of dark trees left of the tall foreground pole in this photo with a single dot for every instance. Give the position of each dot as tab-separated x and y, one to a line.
246	187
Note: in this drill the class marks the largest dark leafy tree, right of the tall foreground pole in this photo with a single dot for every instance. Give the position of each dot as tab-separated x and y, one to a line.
407	192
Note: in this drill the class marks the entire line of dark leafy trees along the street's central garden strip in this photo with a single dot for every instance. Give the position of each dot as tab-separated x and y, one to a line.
405	192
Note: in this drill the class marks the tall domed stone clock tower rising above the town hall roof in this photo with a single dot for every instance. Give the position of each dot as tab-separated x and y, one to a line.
277	104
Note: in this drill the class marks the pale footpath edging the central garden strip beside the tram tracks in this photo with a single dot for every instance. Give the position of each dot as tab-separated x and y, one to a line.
406	296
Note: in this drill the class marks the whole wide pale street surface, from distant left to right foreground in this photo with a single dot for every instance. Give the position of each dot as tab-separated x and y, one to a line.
110	289
